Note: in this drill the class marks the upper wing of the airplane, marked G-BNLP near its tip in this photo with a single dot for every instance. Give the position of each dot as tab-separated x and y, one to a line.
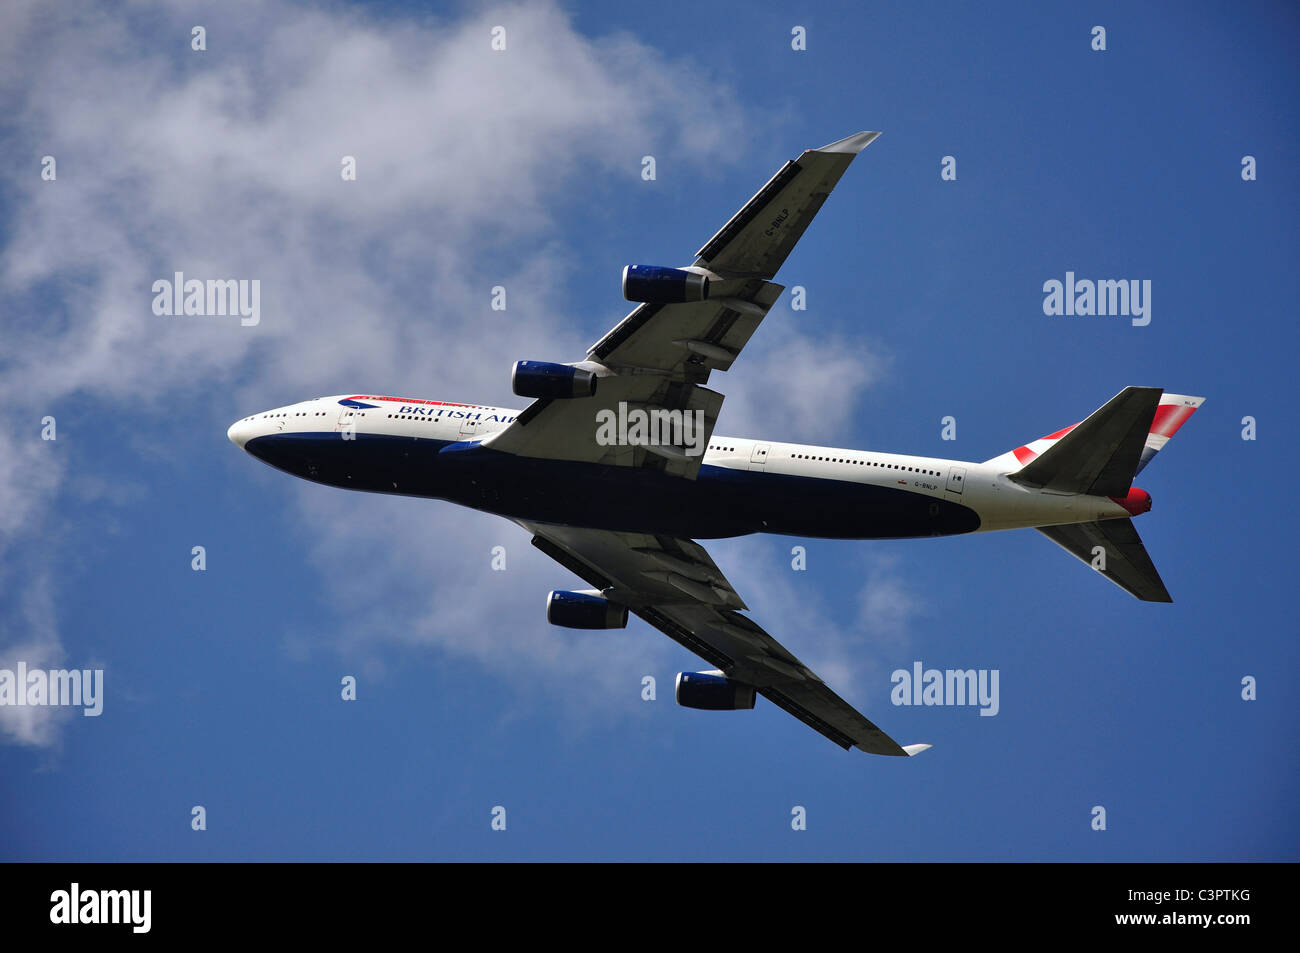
661	356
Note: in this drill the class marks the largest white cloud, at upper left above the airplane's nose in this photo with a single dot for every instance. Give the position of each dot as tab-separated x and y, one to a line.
228	164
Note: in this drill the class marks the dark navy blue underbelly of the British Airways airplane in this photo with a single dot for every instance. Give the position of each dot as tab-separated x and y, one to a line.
721	503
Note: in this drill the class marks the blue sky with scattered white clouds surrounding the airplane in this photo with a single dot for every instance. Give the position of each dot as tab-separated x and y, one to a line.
523	168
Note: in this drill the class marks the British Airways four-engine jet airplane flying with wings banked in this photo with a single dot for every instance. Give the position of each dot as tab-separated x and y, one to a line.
617	473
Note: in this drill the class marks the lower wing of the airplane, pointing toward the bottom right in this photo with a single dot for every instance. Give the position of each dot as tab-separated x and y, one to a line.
677	587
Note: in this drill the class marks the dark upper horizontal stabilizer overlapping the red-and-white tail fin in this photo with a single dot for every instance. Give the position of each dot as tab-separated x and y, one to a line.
1100	456
